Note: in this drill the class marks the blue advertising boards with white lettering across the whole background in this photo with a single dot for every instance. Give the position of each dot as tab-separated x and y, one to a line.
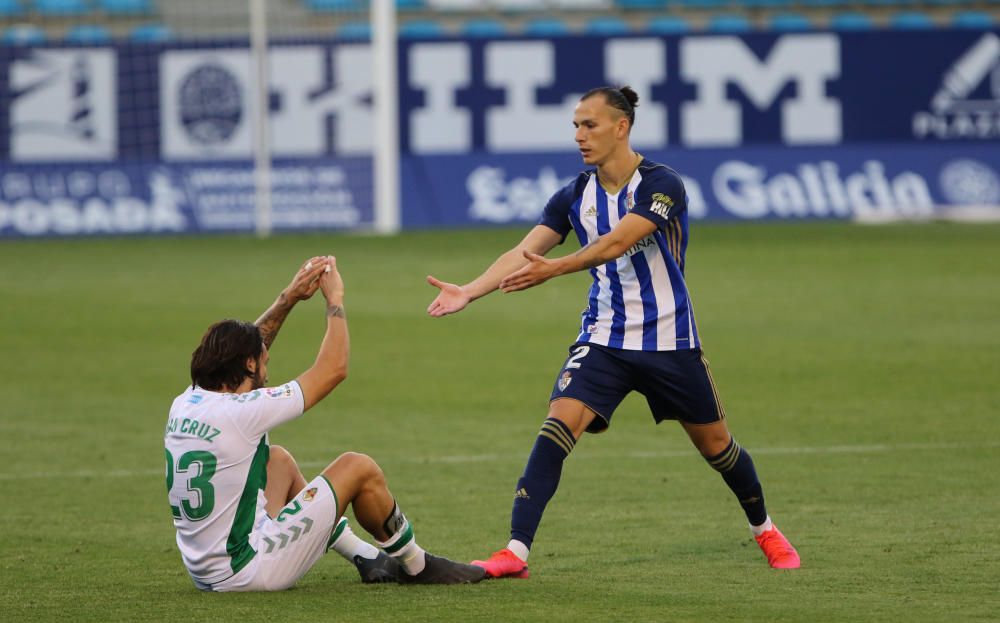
156	138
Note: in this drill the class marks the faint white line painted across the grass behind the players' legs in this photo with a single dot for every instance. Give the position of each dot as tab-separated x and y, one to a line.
485	458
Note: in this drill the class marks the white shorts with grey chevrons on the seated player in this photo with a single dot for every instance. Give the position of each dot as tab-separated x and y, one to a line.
291	543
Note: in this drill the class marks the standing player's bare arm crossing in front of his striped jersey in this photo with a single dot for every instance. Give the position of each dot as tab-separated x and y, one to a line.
612	245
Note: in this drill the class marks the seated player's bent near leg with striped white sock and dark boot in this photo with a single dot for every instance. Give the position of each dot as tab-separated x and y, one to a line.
360	482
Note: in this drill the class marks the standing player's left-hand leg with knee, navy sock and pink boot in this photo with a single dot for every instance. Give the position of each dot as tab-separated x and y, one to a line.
567	420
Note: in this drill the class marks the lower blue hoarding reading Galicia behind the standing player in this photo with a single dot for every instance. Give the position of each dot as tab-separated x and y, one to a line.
872	182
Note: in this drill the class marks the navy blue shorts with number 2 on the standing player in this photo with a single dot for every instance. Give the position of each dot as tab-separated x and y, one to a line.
677	383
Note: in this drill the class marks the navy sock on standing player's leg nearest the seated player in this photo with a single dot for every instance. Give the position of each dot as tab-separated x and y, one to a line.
540	479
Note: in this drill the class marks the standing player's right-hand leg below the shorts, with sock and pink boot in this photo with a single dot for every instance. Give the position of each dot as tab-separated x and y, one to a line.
726	456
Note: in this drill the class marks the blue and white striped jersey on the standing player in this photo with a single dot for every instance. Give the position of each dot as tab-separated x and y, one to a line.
640	300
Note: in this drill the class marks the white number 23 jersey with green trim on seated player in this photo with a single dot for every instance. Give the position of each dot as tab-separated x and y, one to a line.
217	451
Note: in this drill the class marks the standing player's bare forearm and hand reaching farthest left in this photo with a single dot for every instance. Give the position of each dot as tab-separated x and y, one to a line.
453	298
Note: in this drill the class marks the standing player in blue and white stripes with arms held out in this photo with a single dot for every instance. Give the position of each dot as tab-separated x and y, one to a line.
638	331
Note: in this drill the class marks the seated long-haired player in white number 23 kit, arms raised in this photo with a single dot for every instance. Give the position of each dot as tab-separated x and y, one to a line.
246	518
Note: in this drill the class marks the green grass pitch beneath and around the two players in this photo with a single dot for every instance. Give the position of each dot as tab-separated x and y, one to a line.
859	365
